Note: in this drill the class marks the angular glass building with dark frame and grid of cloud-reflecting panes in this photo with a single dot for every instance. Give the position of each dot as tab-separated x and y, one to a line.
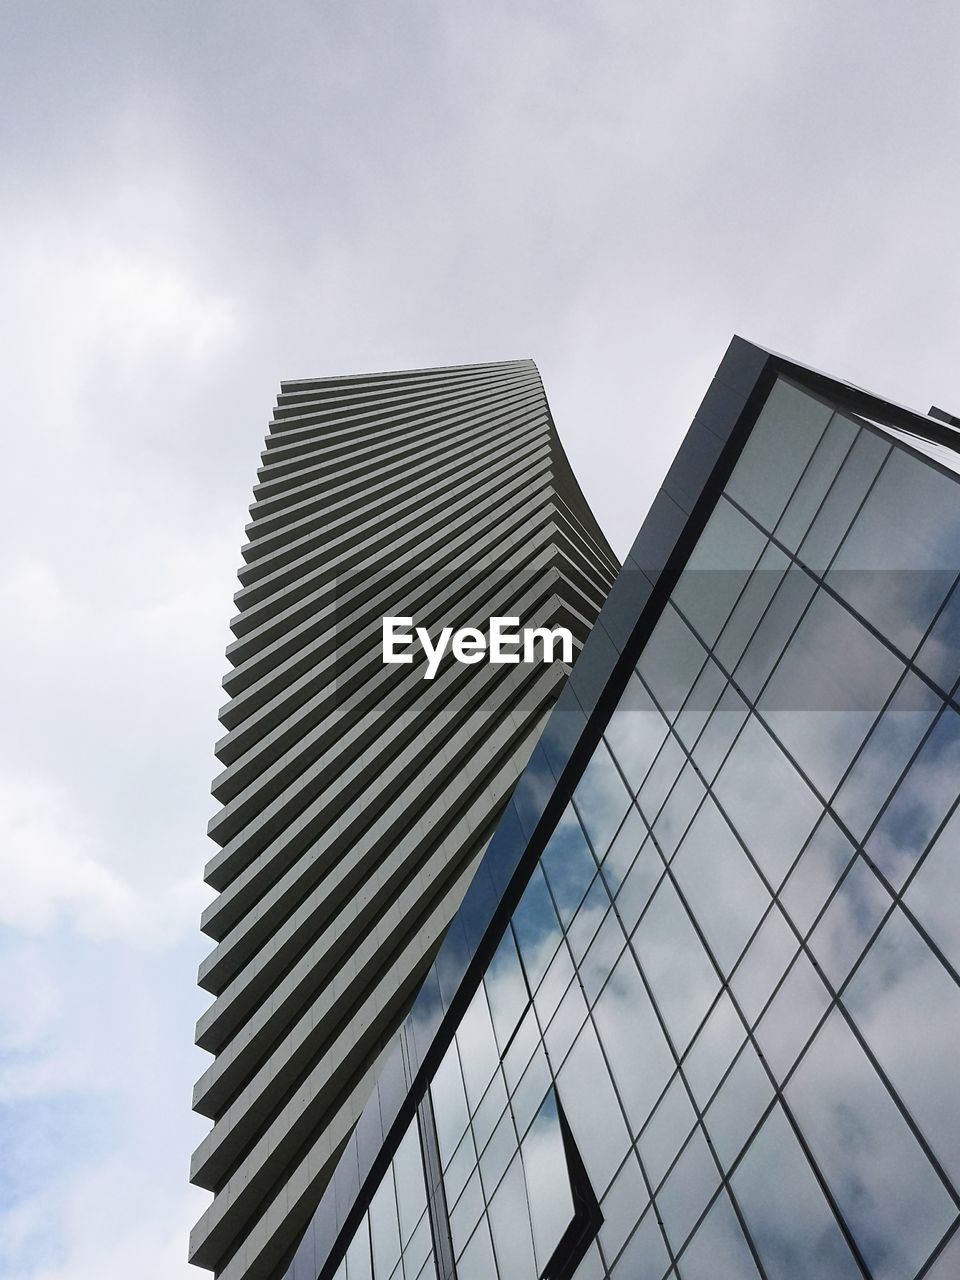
700	1013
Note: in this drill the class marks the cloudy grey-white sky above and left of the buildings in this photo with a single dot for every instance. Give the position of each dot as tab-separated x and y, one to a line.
199	200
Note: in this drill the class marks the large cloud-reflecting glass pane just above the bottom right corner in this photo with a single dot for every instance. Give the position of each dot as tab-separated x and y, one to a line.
890	1196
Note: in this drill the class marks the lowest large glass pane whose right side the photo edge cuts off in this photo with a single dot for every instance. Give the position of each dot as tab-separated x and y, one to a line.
908	1008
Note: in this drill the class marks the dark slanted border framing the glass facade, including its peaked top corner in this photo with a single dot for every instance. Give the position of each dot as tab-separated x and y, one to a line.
676	518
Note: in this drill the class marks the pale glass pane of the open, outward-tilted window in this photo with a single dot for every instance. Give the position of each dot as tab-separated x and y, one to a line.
593	1112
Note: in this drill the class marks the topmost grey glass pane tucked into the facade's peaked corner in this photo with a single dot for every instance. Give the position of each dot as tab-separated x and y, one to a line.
781	444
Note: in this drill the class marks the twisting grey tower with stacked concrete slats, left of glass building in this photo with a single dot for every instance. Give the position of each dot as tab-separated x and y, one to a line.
359	798
